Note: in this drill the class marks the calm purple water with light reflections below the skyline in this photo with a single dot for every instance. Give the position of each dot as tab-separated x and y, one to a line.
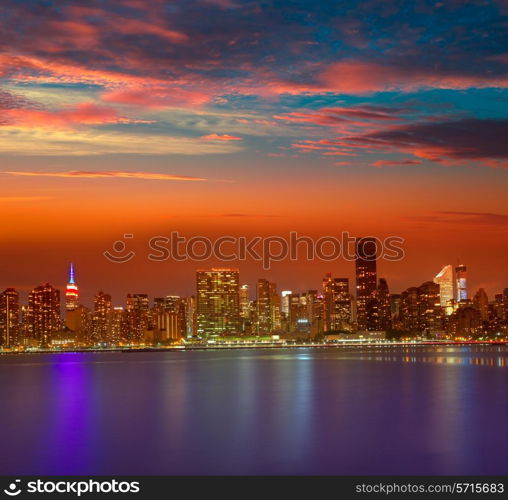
424	410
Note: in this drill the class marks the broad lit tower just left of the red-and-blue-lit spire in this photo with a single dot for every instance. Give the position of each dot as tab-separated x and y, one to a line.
43	315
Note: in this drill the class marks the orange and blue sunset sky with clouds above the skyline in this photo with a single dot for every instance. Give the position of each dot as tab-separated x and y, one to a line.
245	118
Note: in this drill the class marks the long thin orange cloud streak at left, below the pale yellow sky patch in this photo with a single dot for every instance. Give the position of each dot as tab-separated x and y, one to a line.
113	174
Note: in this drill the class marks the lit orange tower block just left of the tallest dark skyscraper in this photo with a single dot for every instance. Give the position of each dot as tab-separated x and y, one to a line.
337	303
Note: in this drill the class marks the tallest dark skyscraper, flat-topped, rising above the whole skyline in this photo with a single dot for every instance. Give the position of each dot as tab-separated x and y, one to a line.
366	277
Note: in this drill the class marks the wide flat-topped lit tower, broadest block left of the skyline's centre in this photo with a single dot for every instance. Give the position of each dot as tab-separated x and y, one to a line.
218	301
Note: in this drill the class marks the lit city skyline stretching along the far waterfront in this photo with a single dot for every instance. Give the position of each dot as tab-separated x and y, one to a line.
222	307
